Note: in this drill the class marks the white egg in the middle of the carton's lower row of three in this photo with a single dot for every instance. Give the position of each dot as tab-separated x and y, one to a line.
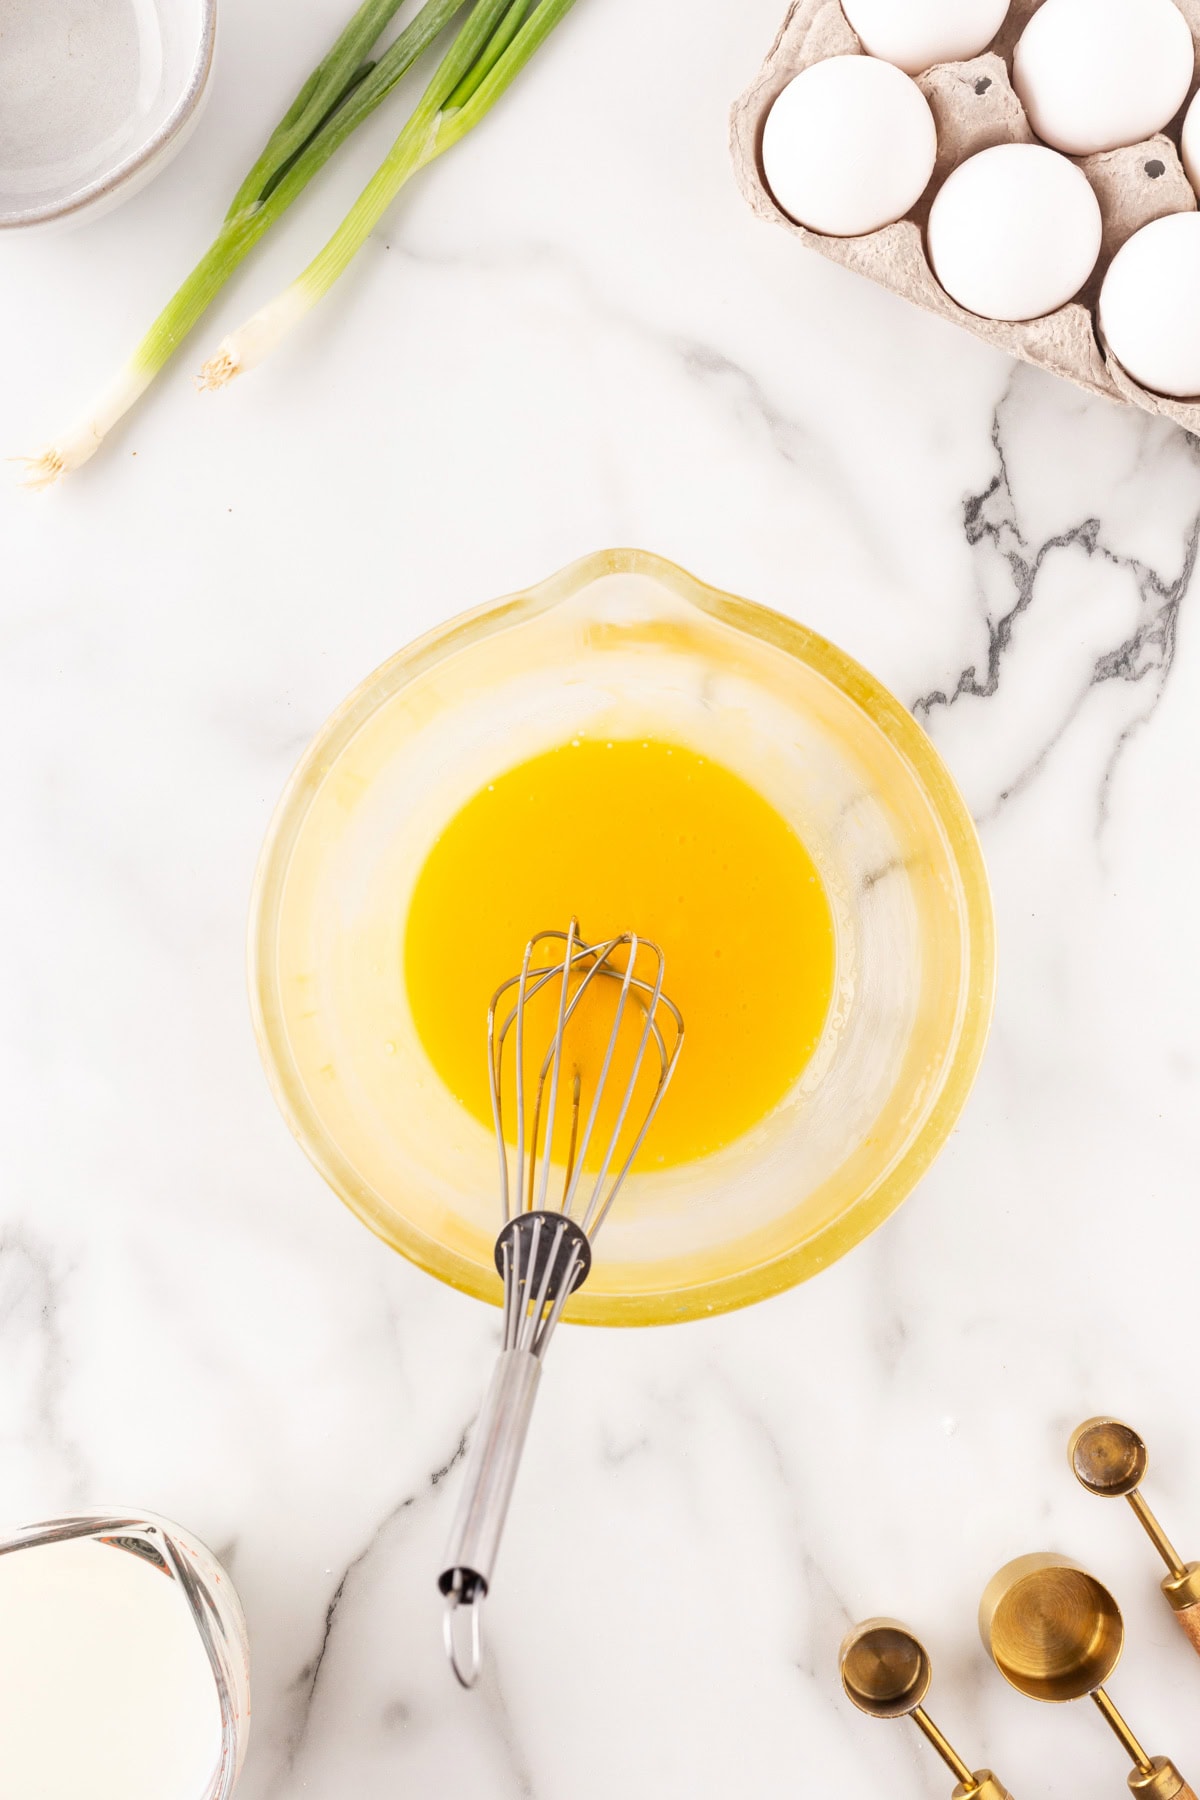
1014	233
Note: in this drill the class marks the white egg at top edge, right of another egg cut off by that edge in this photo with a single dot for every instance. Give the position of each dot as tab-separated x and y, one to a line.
1097	75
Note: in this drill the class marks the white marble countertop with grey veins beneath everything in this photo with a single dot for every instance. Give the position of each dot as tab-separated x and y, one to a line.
573	334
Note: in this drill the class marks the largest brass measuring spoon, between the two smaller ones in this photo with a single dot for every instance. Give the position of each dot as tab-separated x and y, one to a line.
1055	1633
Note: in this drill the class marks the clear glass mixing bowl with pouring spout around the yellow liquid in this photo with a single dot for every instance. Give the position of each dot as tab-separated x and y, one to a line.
627	645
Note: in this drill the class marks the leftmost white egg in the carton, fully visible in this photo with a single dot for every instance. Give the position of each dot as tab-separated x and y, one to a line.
850	147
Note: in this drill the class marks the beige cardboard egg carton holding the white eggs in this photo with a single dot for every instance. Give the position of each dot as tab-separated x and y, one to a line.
976	107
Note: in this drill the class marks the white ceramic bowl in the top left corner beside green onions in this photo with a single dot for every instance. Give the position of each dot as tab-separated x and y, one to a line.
94	100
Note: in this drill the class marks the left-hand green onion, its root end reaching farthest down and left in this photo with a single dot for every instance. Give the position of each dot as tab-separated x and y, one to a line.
336	100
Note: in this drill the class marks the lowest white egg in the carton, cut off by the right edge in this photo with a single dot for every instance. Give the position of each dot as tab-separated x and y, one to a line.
1151	307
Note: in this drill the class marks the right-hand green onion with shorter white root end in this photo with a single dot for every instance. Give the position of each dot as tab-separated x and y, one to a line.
488	53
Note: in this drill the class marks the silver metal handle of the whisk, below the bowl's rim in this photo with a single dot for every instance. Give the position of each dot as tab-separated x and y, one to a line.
490	1479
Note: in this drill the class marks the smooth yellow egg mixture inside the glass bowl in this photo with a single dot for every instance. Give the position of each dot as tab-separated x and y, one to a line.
649	838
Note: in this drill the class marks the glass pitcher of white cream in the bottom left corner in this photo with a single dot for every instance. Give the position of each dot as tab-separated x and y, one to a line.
123	1664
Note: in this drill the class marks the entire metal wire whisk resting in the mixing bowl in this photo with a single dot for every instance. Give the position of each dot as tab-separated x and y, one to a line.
551	1214
